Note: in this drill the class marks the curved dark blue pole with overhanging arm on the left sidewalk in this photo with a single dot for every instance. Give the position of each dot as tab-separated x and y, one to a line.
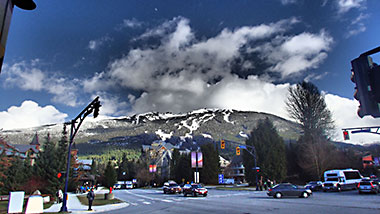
93	107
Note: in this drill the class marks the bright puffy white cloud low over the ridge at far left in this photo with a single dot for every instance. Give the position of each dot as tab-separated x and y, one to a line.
30	114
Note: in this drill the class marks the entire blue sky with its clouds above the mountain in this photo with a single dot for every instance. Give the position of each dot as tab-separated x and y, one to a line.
178	56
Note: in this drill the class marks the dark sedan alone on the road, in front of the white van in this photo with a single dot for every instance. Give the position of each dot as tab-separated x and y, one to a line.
288	189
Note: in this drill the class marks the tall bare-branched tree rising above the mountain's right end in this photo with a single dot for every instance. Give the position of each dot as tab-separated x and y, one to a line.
307	106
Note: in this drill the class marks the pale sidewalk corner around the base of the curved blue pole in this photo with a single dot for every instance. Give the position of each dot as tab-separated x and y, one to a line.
74	205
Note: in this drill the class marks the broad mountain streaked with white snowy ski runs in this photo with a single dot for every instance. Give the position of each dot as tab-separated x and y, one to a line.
204	125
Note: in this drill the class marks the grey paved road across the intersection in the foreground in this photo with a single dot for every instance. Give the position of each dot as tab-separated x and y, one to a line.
221	201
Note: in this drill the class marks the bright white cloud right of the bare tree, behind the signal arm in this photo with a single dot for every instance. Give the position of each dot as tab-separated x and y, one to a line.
345	116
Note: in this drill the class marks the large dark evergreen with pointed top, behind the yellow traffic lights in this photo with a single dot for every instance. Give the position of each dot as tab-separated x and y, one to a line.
270	153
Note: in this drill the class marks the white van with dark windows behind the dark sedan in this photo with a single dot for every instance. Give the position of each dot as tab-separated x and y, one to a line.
341	179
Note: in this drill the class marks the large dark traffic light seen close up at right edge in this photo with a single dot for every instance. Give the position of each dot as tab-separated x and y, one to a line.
366	76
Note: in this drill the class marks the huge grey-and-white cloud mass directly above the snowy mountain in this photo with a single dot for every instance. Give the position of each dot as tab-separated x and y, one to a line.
183	73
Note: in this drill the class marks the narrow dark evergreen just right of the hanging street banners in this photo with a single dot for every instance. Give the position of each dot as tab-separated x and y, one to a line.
211	166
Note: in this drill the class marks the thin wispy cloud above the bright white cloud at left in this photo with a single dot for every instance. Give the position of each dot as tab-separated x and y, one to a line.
28	76
